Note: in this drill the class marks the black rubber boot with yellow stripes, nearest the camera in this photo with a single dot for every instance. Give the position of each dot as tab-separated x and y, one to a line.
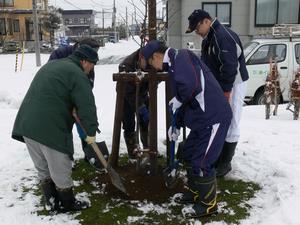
206	197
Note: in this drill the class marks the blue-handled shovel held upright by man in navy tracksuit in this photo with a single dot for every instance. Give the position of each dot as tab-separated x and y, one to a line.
171	173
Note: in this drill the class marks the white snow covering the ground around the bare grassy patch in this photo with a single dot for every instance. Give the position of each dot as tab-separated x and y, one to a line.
268	152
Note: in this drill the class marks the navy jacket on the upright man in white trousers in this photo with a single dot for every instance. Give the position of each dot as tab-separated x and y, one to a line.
222	52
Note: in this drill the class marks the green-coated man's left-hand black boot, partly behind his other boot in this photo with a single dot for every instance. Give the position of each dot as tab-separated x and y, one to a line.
50	195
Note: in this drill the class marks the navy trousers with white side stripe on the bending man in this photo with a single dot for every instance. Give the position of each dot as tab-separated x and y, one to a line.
203	147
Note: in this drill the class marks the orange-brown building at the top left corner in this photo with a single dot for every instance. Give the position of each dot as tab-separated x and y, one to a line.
16	19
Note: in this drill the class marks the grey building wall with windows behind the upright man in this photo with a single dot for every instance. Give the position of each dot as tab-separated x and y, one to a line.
248	18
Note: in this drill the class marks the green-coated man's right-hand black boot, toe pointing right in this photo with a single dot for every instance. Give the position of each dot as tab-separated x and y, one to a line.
69	202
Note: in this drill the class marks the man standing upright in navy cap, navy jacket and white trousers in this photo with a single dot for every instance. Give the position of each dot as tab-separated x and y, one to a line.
222	52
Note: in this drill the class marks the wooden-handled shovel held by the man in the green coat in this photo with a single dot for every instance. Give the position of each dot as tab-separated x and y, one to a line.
114	176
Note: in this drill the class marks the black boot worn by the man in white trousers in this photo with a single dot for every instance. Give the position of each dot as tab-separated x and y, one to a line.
223	165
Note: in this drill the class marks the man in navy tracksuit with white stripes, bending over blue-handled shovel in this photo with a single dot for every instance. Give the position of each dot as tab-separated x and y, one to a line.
203	108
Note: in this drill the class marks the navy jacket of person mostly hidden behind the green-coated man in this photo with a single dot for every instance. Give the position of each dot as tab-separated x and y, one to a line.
64	52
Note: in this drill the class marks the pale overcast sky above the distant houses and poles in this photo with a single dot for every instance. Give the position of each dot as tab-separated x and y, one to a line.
107	5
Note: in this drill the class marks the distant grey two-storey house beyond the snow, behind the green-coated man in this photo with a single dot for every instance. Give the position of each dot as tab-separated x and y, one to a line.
78	22
